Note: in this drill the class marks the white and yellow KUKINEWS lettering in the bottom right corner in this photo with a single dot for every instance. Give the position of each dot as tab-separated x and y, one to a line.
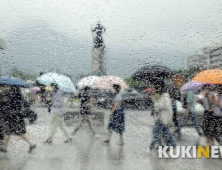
191	152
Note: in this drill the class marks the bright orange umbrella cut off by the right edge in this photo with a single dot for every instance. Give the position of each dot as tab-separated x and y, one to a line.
213	76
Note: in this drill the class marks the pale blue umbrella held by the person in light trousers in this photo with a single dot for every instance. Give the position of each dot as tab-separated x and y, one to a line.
64	82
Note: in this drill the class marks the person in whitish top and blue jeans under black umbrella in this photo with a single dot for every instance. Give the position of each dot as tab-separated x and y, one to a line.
163	107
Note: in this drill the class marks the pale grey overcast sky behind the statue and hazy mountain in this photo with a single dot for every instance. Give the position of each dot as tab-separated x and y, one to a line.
137	31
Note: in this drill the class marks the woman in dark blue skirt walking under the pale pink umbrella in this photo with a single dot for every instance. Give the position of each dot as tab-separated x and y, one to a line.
117	116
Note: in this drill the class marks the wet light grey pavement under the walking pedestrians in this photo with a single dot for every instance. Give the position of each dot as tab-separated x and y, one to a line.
90	153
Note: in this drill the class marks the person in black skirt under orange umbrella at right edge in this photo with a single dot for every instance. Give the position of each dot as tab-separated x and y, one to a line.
212	122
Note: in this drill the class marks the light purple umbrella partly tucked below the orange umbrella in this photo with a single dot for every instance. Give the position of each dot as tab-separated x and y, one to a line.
192	86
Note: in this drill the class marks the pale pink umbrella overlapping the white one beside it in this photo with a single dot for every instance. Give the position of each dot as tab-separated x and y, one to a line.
106	82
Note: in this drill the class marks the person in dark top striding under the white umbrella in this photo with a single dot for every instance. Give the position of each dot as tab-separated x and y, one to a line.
85	109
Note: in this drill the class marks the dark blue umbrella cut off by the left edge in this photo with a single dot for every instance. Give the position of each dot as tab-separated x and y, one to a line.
12	81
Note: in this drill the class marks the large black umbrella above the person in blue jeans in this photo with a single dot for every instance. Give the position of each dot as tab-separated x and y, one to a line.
153	73
